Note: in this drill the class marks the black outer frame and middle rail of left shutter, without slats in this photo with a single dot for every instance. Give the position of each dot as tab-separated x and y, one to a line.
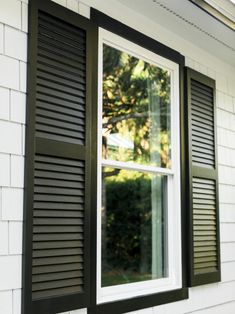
59	149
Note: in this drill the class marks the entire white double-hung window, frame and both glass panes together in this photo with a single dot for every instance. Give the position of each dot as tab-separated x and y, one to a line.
116	156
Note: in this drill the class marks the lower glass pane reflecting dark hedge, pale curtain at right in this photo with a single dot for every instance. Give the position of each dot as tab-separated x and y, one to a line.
134	223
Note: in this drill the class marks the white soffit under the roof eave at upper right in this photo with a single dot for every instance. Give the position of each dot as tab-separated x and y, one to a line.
190	22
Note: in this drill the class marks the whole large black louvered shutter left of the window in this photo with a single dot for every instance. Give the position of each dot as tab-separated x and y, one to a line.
58	160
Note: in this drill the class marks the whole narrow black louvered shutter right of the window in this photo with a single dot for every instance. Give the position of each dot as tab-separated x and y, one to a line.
204	253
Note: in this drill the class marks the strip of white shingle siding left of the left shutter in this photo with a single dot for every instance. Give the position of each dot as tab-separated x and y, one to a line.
13	57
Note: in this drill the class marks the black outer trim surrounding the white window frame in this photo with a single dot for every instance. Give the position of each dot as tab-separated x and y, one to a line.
118	307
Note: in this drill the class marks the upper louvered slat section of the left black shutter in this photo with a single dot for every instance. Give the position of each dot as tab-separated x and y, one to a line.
56	80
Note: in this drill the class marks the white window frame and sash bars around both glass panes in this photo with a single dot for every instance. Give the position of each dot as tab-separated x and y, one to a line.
174	279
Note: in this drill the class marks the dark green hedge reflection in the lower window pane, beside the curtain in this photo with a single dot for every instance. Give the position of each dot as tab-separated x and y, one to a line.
126	228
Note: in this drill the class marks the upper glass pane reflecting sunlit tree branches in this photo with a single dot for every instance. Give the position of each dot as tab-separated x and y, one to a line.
136	110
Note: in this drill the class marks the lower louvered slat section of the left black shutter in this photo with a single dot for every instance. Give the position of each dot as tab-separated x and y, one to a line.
59	188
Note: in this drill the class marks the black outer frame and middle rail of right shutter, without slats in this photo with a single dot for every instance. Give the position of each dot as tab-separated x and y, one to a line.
200	172
